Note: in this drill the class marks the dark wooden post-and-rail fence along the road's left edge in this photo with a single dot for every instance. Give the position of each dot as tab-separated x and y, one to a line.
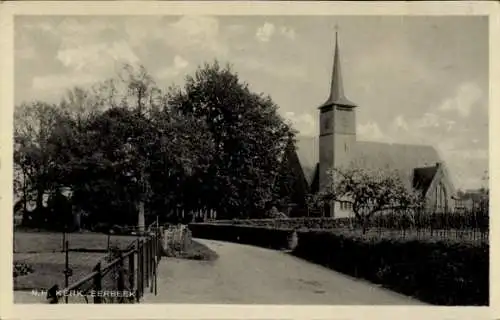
124	279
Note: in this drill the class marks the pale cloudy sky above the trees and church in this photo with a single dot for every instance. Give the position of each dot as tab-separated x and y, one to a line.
416	79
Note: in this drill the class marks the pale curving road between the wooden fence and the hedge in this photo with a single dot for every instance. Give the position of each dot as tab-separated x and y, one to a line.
251	275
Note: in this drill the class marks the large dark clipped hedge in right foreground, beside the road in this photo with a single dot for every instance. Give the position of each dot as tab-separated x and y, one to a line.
439	272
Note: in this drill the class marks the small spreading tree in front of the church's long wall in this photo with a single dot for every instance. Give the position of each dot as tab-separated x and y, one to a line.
369	192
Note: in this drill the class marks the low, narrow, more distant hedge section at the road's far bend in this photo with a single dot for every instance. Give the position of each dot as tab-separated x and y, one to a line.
257	236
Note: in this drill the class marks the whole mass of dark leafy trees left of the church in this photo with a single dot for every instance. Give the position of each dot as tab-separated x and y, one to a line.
132	148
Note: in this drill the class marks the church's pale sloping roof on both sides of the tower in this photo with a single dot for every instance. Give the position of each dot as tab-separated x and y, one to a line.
403	158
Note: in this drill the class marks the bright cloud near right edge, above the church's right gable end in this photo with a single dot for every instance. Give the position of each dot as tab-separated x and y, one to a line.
466	97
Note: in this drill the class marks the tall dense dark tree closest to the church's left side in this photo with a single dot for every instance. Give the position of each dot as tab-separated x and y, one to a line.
248	136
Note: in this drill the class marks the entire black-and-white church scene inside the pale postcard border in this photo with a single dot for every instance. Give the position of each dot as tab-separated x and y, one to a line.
317	160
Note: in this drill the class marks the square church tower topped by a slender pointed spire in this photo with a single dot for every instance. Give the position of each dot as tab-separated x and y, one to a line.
337	134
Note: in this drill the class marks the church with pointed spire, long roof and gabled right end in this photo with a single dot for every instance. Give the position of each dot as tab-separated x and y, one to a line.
309	159
